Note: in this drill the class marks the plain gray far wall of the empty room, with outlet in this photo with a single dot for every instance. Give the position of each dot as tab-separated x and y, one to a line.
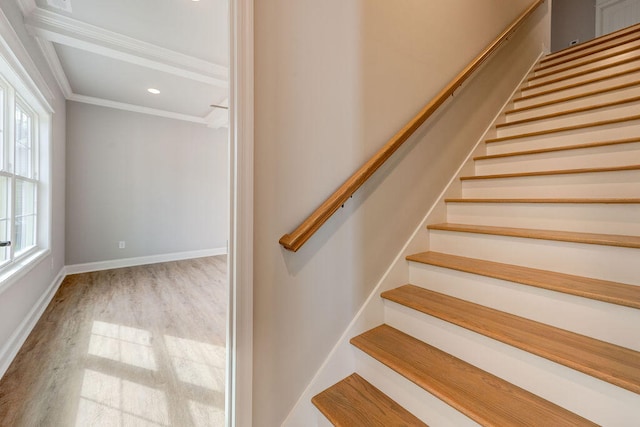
158	184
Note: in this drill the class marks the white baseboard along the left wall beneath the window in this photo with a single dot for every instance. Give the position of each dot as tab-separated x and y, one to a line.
9	351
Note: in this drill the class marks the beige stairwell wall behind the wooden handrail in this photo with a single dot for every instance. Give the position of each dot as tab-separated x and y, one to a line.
333	81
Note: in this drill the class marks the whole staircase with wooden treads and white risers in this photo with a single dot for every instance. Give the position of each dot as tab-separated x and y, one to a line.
526	308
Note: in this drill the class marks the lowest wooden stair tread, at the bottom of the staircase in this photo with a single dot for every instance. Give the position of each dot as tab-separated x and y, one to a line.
355	402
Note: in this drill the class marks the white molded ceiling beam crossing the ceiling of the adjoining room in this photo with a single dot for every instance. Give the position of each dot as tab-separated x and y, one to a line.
61	29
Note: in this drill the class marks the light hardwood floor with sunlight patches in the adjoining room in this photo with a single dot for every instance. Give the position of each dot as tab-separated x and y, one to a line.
138	346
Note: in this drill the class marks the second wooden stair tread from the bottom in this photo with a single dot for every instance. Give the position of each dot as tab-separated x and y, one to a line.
479	395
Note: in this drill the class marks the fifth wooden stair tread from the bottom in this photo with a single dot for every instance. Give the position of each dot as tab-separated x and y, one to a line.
556	235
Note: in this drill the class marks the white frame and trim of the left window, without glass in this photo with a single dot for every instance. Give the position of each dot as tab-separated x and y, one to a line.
20	87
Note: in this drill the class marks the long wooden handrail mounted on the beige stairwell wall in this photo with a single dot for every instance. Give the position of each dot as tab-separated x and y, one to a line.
294	240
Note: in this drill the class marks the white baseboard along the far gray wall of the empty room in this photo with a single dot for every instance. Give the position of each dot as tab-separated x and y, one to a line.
151	259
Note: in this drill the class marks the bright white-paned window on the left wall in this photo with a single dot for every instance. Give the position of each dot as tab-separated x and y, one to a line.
24	135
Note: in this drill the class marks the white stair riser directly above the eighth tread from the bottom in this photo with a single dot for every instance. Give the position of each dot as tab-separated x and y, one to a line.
588	135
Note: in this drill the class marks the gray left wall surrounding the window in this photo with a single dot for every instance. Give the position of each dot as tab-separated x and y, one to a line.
21	304
